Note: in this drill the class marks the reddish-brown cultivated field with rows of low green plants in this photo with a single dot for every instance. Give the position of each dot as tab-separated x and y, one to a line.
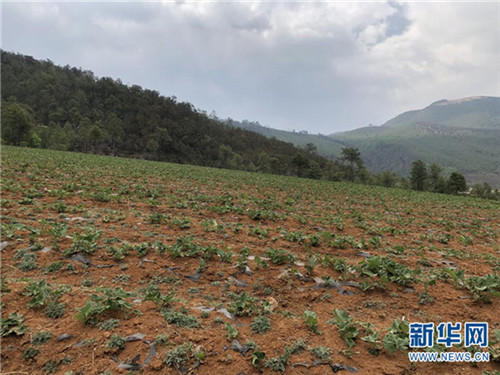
114	266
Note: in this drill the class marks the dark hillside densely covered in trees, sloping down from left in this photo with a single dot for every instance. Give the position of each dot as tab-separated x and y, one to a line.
66	108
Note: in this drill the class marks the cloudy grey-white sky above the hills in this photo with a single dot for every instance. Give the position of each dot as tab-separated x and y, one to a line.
323	67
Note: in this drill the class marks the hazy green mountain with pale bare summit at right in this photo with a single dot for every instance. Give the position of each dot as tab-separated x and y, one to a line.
462	134
